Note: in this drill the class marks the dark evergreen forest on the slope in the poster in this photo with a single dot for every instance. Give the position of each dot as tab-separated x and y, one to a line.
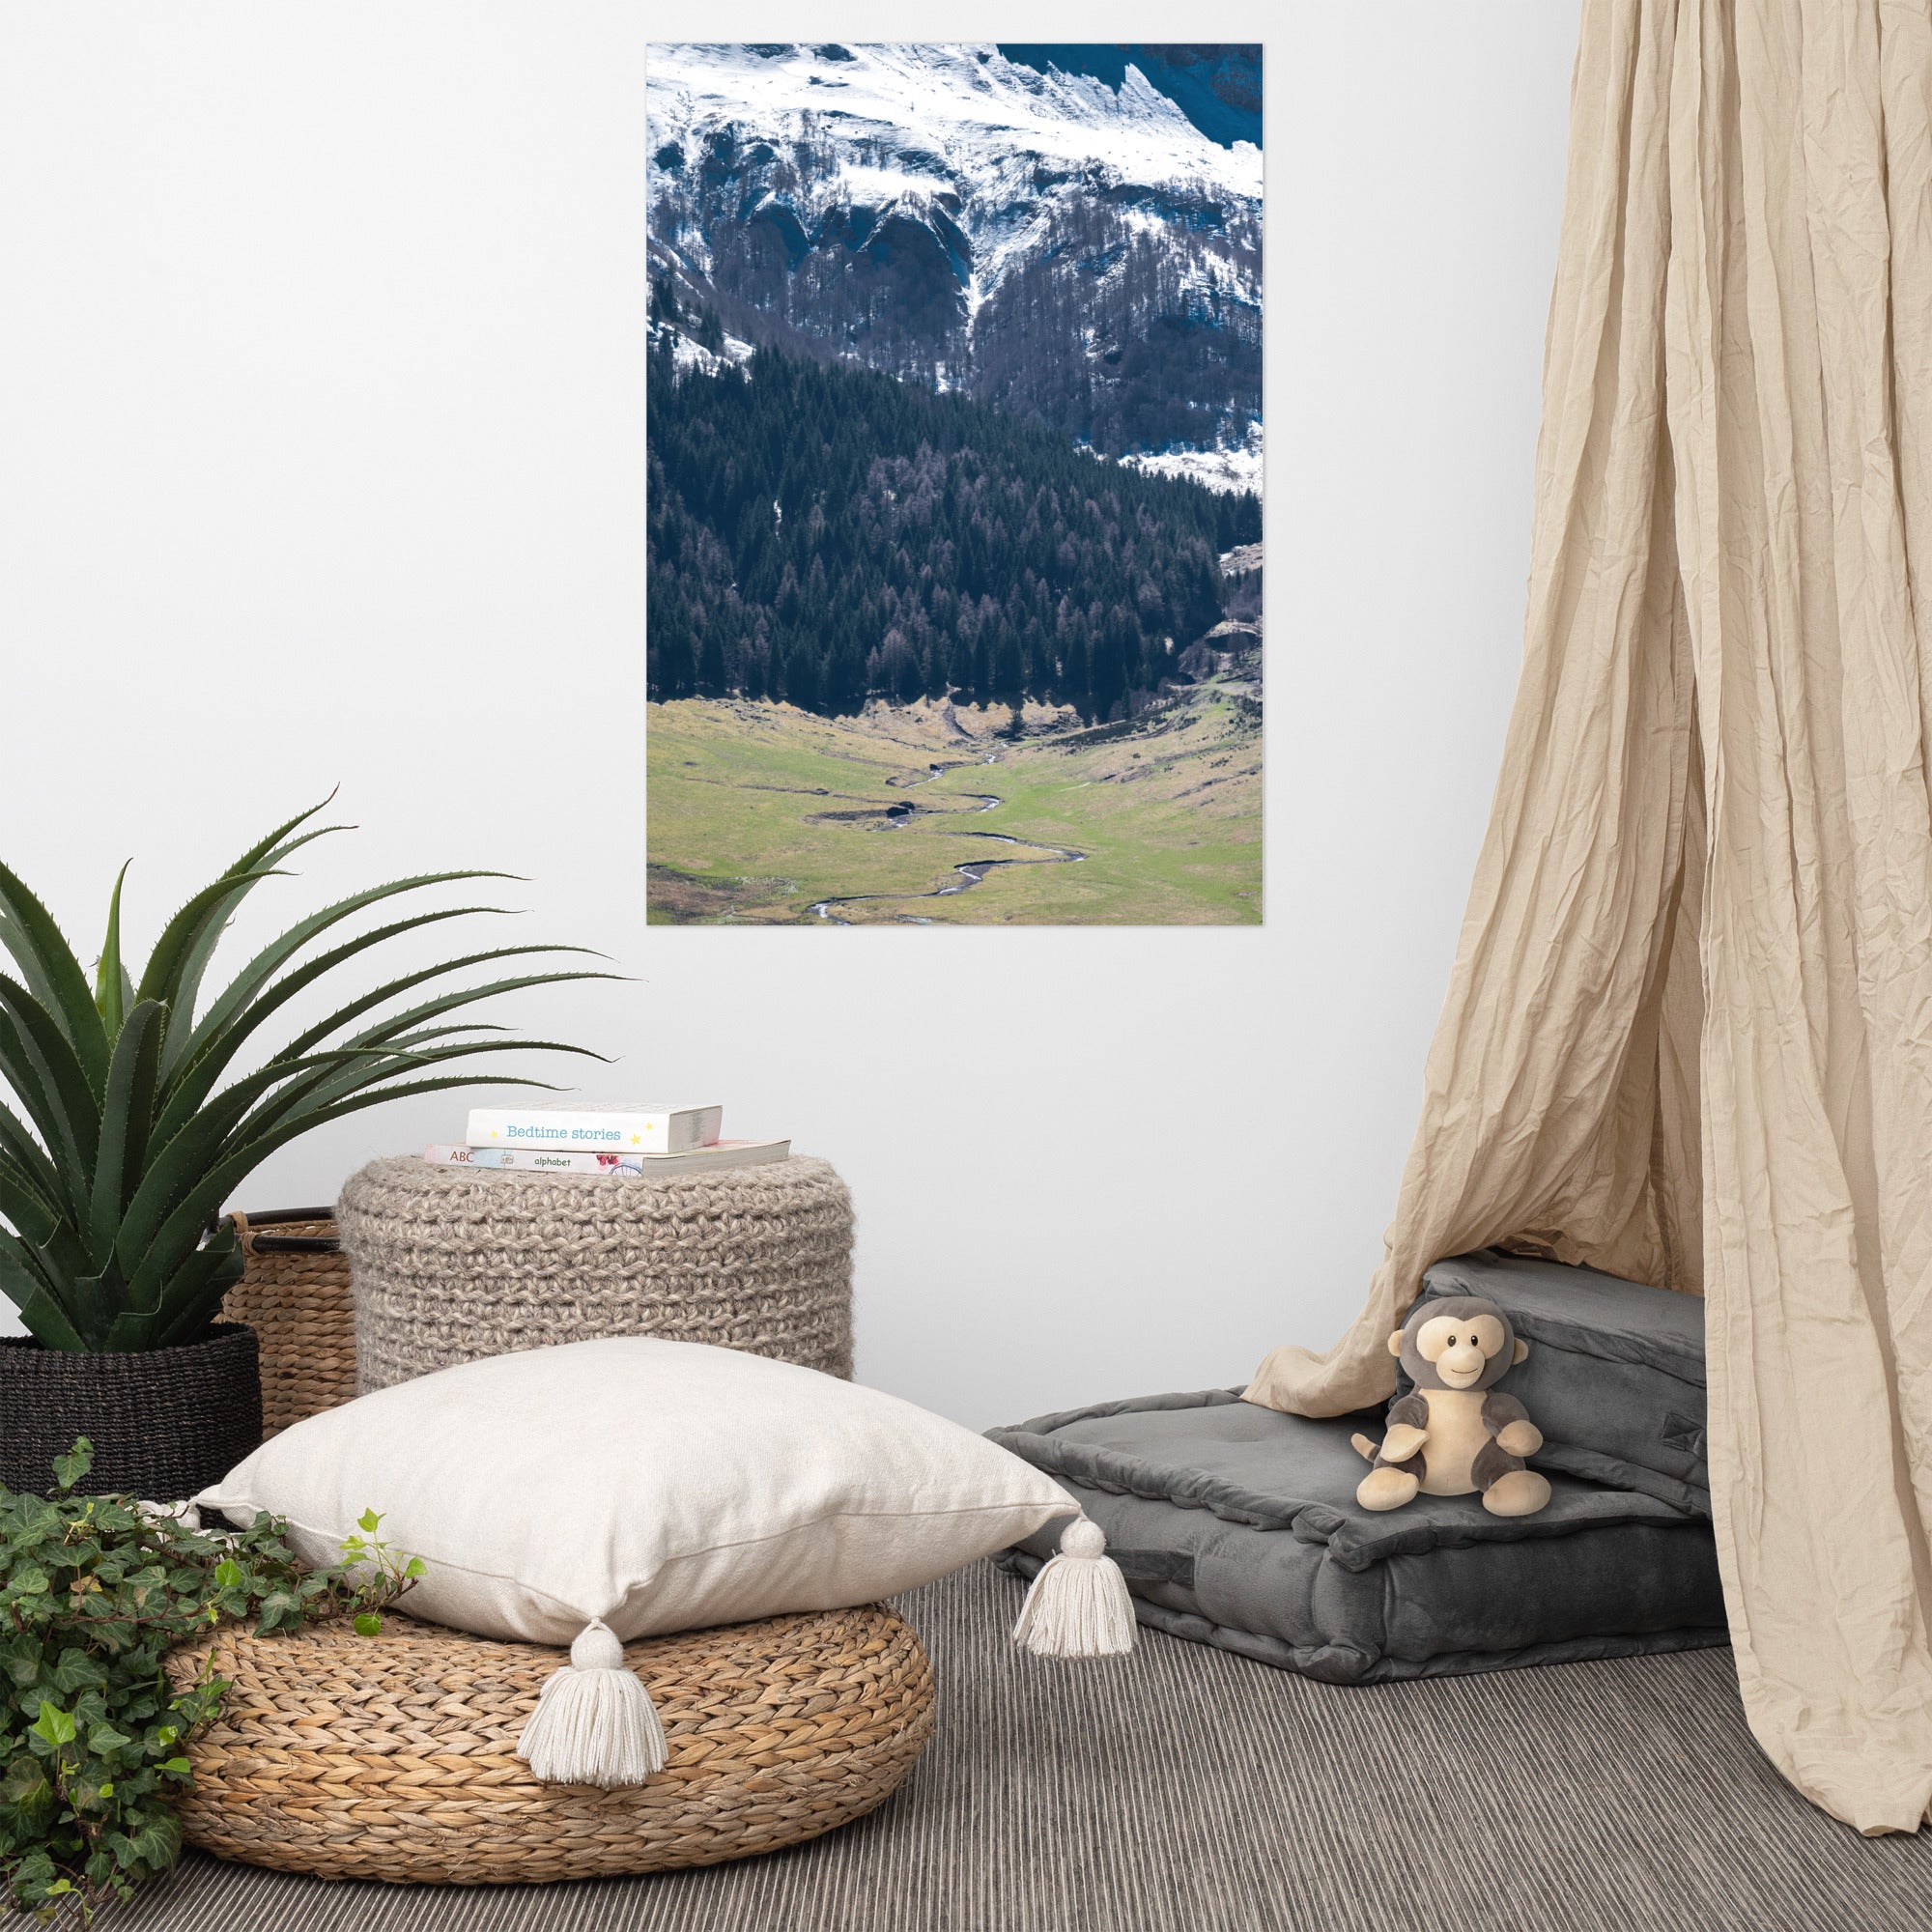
824	536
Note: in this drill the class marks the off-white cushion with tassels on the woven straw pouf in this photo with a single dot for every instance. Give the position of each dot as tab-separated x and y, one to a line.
623	1489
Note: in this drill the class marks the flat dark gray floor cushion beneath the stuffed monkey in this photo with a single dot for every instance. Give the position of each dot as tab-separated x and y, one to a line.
1237	1527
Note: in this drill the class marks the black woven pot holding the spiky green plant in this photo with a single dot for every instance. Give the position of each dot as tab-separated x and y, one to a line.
163	1423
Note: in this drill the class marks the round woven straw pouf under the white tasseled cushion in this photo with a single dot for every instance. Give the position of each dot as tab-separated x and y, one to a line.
395	1757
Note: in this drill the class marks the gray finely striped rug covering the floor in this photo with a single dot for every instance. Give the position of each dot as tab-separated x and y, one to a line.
1193	1792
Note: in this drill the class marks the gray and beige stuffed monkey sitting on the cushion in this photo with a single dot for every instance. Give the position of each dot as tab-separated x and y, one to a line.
1456	1433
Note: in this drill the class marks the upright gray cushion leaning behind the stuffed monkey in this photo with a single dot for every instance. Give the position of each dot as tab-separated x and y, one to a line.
1614	1378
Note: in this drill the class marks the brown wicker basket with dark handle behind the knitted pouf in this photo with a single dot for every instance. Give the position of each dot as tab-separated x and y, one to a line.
297	1297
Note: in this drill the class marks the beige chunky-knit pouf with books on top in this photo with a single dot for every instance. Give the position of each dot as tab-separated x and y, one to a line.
453	1264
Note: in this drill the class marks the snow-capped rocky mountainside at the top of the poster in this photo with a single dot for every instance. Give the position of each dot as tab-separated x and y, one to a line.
1046	241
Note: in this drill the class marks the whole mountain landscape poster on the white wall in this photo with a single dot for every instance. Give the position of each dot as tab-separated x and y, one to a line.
955	469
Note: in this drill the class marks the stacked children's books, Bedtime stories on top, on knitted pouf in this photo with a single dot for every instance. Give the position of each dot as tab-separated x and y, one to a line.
604	1141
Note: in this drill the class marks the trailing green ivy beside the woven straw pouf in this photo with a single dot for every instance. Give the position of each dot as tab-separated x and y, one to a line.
96	1591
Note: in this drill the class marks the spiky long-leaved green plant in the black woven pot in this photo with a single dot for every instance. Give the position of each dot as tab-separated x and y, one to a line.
130	1123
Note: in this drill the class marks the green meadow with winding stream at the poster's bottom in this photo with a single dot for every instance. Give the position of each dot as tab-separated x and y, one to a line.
762	812
